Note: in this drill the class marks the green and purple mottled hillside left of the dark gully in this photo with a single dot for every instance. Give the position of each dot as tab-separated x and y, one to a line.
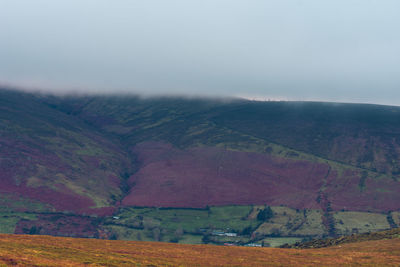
56	159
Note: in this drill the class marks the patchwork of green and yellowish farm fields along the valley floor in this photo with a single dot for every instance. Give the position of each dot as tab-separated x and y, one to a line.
212	225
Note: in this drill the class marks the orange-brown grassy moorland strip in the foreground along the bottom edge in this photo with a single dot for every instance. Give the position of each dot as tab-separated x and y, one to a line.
22	250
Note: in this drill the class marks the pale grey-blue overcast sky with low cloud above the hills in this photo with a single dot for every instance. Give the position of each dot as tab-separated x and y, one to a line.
333	50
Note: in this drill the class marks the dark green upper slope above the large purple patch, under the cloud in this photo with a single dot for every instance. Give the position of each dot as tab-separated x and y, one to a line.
361	135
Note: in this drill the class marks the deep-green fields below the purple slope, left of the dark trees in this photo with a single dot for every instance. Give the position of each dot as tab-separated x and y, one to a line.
181	225
